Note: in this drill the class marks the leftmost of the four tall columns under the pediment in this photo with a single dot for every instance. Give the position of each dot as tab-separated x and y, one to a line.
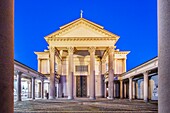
52	73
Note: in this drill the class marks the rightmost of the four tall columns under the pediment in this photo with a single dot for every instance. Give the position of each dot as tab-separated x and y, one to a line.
111	72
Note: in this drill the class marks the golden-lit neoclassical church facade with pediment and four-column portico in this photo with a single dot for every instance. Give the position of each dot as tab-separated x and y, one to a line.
81	61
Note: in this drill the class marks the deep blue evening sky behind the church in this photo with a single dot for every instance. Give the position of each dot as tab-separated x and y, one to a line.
135	21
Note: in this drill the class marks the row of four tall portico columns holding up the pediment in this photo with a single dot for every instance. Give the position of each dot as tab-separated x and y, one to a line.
91	50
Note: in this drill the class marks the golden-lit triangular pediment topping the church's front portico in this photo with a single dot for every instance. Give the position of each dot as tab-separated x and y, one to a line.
82	28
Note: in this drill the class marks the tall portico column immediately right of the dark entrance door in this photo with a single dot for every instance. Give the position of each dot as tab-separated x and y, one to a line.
92	73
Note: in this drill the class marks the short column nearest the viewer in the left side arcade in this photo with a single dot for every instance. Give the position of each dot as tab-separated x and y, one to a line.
19	85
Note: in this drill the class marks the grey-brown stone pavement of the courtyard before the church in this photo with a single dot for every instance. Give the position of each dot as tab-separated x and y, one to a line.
84	105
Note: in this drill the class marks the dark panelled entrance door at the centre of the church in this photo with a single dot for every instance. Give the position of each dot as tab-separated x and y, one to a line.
81	86
